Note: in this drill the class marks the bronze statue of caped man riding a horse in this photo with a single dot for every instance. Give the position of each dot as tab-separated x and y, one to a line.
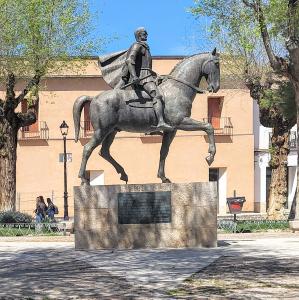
142	101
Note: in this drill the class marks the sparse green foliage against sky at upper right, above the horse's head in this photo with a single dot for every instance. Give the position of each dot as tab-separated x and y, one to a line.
236	28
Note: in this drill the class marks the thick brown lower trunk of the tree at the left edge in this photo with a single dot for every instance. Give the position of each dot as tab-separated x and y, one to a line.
8	159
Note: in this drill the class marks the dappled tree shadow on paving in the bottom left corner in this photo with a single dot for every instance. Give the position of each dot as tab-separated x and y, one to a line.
41	275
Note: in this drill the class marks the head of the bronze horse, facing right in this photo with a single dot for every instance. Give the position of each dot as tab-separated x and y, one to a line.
211	71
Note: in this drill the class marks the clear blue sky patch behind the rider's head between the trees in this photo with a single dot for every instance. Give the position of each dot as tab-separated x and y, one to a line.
172	30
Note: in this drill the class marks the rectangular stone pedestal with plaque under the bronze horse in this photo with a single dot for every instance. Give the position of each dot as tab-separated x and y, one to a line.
188	218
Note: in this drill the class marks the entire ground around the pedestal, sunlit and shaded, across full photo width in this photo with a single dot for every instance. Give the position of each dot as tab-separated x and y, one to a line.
243	267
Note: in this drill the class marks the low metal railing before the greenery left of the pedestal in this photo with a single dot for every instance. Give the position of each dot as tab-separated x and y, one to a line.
31	229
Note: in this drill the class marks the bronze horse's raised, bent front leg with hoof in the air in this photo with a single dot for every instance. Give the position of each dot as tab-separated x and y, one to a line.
189	124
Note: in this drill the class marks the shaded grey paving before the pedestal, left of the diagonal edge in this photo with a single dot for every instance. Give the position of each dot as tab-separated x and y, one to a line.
126	274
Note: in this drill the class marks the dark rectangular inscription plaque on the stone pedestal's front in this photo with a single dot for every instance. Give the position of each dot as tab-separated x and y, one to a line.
144	207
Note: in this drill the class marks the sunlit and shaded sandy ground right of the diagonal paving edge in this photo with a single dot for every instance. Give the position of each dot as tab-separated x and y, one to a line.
259	268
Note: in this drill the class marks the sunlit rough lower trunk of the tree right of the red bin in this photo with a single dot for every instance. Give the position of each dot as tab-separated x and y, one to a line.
279	165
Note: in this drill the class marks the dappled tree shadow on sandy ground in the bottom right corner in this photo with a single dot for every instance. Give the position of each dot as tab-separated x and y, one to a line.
243	277
